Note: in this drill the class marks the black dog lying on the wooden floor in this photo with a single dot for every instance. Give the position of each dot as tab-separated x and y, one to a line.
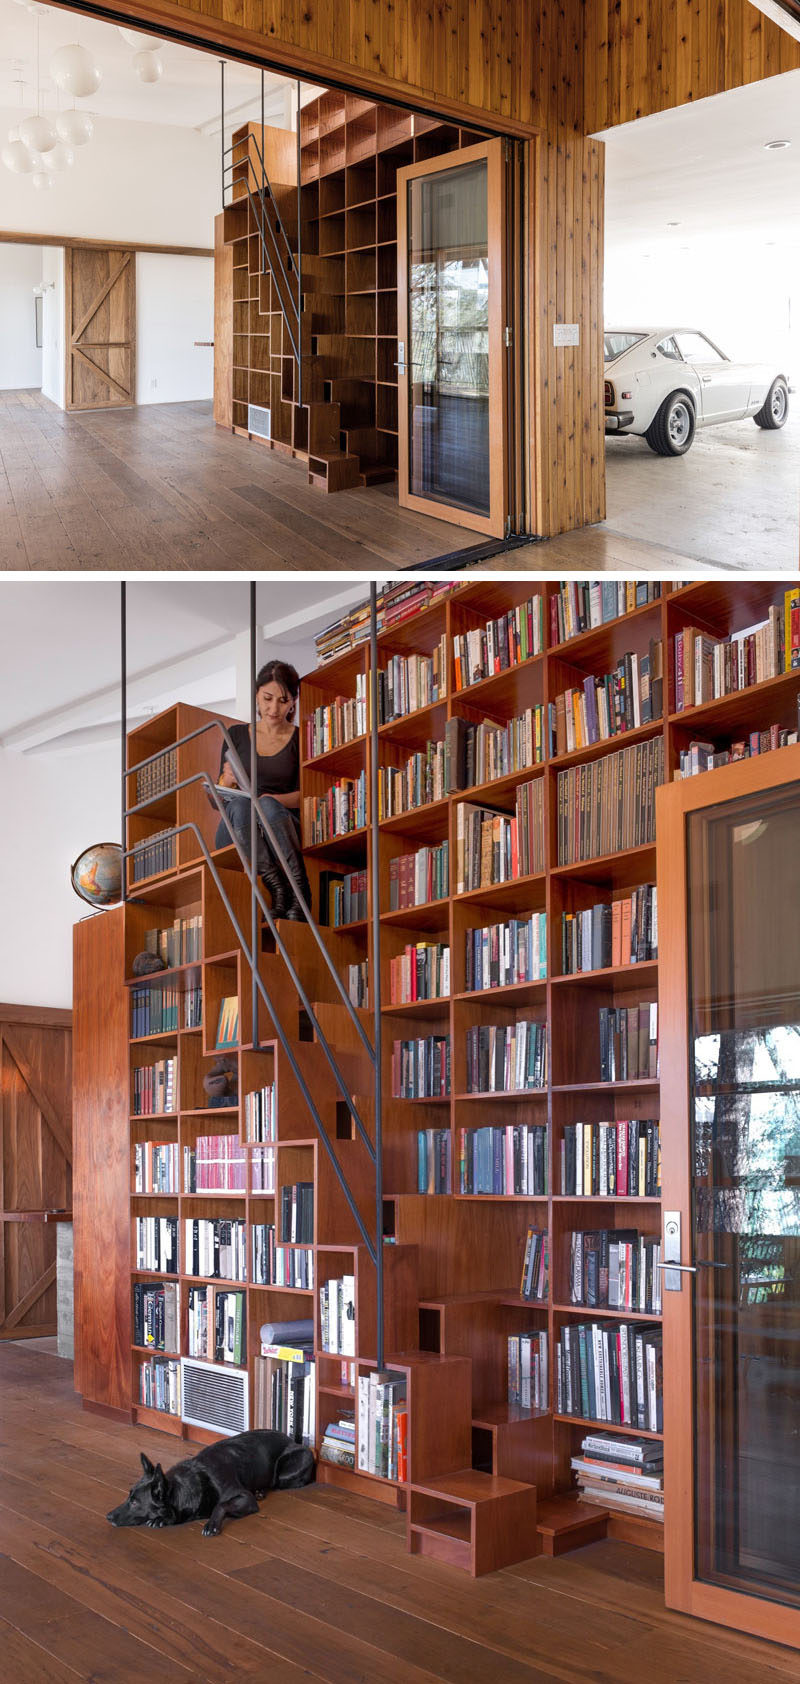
223	1481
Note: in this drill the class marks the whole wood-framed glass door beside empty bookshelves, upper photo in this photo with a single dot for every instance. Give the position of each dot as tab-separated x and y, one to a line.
451	338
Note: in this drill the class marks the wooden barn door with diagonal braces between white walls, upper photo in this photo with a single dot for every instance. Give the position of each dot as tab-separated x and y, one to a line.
102	328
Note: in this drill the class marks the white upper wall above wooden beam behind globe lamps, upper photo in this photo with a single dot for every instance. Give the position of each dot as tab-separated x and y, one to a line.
147	183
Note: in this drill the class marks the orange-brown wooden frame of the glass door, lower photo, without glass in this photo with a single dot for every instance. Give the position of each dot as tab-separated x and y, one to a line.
673	804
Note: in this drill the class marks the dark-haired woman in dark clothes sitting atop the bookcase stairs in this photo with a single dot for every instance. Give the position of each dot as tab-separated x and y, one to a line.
277	787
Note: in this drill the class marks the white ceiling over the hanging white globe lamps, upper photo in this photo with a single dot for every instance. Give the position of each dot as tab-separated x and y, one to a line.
188	95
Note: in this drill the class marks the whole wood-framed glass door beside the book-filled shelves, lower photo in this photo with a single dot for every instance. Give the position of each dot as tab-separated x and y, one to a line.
733	1301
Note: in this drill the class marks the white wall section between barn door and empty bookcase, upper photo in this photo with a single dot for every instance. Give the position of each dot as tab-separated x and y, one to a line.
174	309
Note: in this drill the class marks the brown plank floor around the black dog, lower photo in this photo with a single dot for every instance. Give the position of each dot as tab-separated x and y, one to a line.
314	1587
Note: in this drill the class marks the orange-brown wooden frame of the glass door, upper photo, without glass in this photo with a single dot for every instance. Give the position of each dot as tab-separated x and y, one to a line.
493	525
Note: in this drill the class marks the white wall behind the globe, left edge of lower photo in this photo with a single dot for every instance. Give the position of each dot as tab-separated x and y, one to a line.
53	807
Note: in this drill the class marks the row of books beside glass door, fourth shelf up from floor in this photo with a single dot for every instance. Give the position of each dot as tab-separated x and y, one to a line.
609	1161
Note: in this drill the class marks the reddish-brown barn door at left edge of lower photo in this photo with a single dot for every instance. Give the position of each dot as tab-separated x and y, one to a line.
36	1163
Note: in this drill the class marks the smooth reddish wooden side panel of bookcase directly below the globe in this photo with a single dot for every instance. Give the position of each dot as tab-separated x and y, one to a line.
102	1164
